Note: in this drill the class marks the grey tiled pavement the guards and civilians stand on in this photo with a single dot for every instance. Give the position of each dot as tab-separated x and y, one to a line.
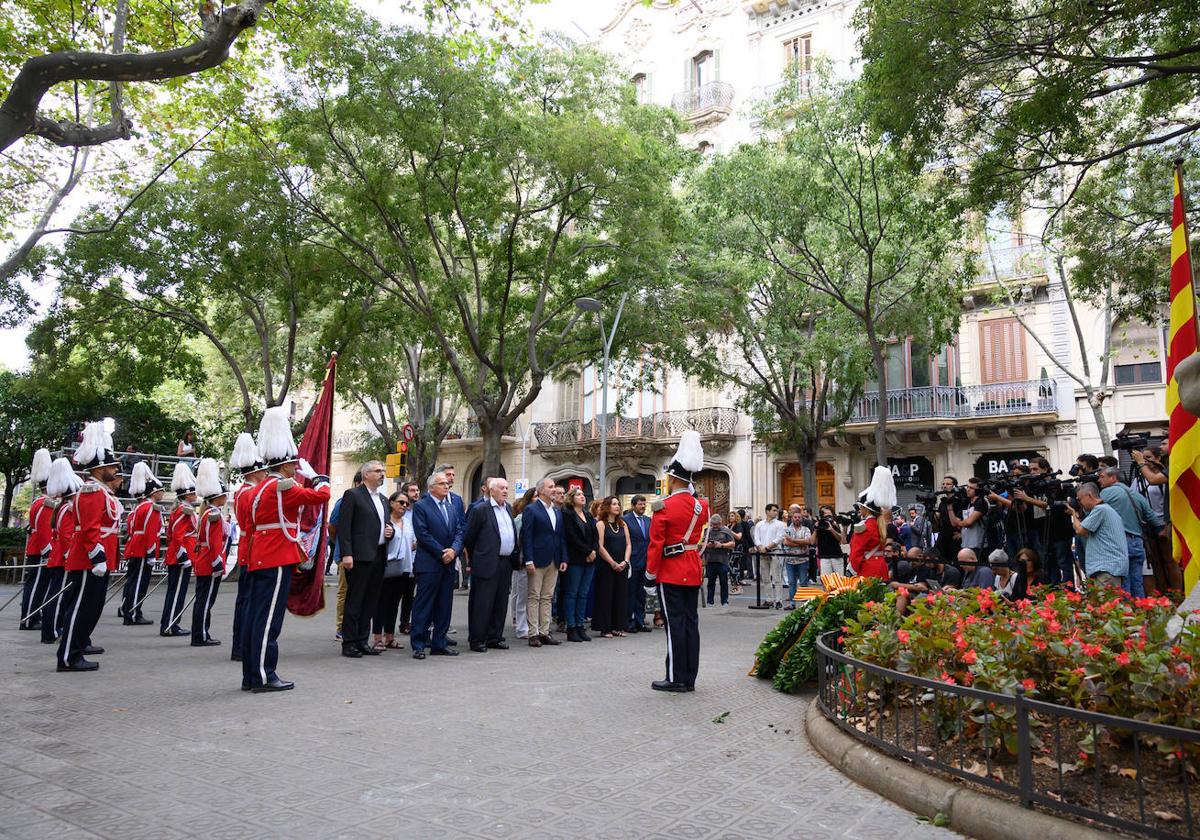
563	742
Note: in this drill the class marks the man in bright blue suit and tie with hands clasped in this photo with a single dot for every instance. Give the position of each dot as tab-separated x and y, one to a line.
439	526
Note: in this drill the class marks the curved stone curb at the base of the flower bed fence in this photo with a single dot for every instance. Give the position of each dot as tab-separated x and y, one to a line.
974	814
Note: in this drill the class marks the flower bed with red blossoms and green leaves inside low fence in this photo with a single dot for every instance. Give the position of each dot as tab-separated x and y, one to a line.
1100	653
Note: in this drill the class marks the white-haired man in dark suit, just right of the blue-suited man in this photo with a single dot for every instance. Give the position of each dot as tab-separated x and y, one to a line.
491	542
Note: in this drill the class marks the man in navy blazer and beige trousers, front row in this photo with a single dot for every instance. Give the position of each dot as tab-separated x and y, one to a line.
544	554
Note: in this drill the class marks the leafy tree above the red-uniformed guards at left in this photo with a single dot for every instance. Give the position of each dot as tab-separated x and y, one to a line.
219	251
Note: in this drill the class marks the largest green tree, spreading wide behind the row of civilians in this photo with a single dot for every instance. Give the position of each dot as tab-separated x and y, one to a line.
487	197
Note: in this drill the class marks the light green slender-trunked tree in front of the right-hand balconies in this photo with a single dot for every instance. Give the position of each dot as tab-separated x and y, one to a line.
832	208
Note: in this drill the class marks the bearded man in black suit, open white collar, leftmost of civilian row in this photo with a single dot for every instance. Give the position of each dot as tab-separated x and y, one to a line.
364	529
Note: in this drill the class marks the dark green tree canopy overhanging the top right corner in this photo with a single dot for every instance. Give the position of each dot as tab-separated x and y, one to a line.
1027	92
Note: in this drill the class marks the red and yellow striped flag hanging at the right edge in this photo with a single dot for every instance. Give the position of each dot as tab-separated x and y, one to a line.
1185	429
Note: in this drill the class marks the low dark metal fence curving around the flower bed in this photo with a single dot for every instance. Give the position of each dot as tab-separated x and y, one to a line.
1138	777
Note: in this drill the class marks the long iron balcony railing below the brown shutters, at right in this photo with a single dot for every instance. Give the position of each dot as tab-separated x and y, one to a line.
1005	399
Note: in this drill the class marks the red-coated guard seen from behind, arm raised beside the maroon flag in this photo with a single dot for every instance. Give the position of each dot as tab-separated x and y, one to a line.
275	548
